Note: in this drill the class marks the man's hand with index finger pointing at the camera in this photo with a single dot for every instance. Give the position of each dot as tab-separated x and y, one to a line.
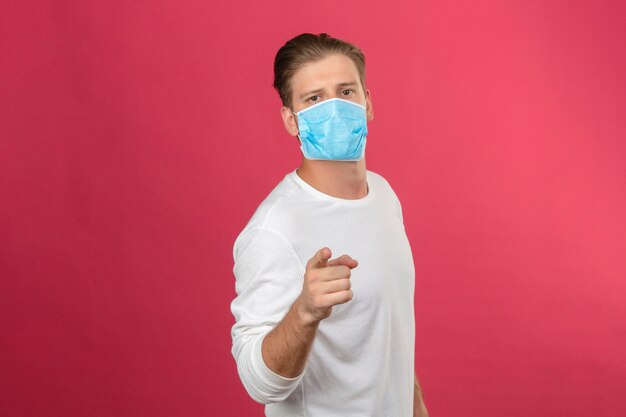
326	284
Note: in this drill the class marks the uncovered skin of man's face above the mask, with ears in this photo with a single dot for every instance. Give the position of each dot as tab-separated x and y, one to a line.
334	76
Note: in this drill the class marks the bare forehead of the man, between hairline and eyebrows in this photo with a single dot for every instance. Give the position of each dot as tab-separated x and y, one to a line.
329	71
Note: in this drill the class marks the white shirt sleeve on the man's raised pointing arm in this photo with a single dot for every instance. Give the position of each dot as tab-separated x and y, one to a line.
268	279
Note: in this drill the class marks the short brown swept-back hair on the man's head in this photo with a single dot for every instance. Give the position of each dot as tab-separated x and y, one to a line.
307	48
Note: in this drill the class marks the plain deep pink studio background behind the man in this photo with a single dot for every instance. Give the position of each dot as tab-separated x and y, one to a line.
138	137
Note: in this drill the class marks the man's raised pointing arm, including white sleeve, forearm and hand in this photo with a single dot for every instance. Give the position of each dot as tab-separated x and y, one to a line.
270	346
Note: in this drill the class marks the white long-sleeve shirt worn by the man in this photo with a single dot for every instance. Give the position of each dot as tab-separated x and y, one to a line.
361	361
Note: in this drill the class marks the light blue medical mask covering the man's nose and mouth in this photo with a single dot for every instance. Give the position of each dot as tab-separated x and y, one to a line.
333	130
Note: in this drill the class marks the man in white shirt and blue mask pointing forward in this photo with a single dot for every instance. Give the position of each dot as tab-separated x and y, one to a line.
315	335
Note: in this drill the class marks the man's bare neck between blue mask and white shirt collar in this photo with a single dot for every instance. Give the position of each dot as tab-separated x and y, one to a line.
339	179
